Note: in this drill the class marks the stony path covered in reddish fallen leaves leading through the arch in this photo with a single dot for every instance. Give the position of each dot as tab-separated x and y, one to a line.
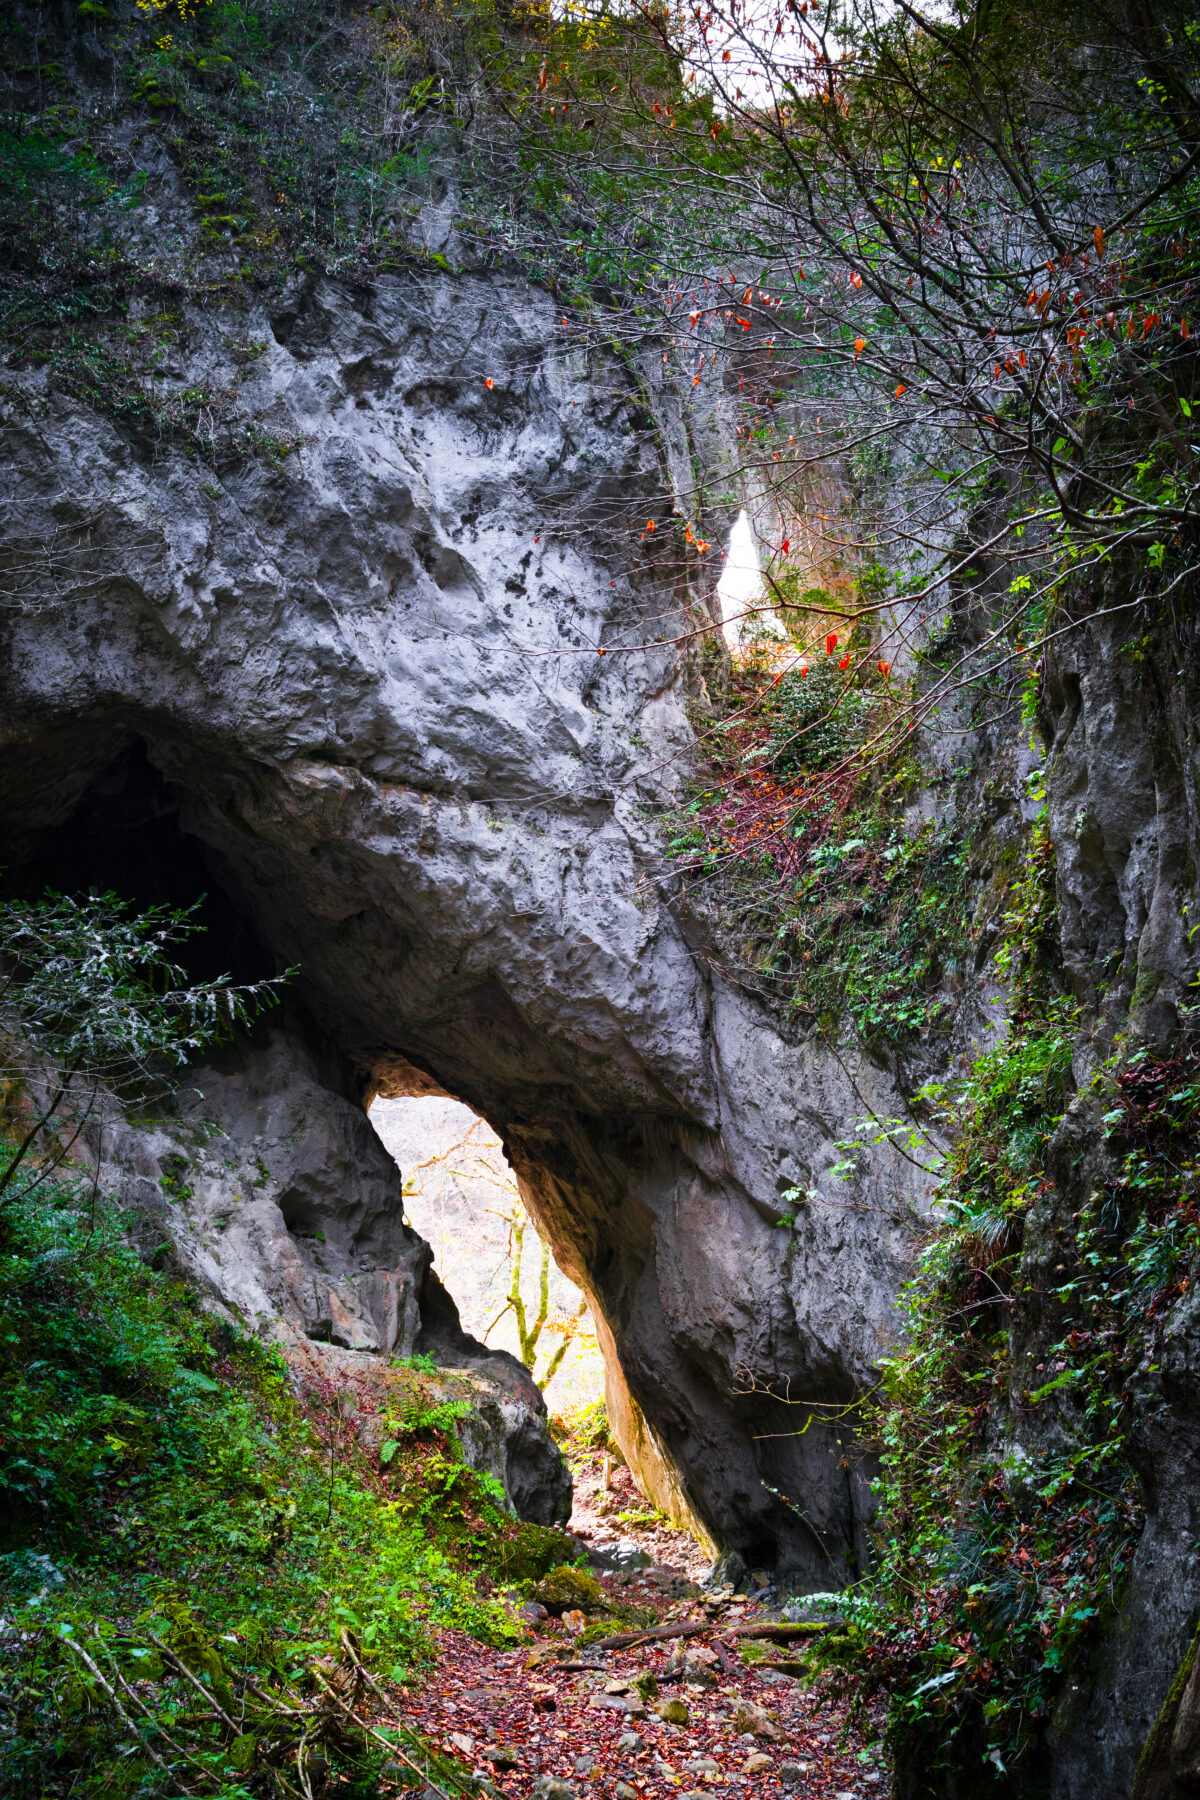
555	1720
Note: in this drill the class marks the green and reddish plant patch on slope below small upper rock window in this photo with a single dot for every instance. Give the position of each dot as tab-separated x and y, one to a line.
827	895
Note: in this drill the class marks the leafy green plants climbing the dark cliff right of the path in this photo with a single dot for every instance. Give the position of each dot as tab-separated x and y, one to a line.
1008	1500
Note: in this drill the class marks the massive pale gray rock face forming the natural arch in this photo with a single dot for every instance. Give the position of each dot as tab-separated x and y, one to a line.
359	703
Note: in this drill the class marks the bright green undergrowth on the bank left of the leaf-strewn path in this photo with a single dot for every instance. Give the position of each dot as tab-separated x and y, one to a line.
204	1578
